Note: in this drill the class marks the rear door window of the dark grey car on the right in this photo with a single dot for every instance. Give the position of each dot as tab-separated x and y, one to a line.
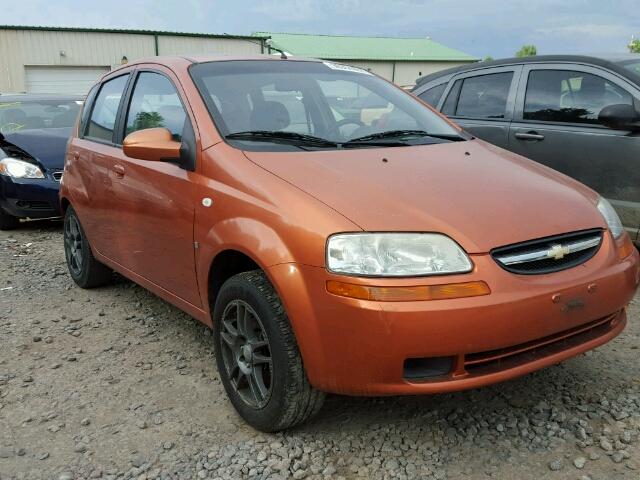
484	96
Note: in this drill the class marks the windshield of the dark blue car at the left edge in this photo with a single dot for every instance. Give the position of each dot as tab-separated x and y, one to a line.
32	114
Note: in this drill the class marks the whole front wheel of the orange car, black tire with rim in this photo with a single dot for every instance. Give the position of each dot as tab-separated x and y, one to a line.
289	399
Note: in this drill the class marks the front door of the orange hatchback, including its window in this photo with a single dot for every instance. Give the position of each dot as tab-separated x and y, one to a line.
155	206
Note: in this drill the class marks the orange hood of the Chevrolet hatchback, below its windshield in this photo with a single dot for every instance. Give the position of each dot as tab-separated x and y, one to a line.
478	194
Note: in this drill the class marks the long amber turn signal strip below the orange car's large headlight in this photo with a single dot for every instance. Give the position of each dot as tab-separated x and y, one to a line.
408	294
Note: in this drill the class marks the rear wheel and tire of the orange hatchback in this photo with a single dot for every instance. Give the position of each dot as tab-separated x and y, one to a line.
84	269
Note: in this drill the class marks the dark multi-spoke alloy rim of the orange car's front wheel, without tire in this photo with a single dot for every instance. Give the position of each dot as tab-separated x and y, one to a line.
246	354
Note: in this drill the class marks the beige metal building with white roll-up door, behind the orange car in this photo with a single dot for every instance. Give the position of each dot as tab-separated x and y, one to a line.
70	60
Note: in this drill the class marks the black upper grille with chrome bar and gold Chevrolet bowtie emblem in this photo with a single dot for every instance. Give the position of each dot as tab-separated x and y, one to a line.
549	254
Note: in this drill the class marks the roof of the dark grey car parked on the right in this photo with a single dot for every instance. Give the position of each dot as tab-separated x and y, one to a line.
606	61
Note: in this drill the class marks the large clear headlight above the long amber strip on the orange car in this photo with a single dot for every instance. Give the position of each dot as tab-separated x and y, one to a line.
395	254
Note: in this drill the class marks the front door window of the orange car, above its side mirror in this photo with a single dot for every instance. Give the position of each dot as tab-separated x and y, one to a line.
155	103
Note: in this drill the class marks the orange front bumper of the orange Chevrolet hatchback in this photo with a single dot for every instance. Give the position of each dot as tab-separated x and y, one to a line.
361	347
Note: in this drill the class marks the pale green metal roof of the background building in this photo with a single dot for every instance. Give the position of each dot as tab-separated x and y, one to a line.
364	48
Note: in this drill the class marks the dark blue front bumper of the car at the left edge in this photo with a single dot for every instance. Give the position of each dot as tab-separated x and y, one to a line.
30	198
